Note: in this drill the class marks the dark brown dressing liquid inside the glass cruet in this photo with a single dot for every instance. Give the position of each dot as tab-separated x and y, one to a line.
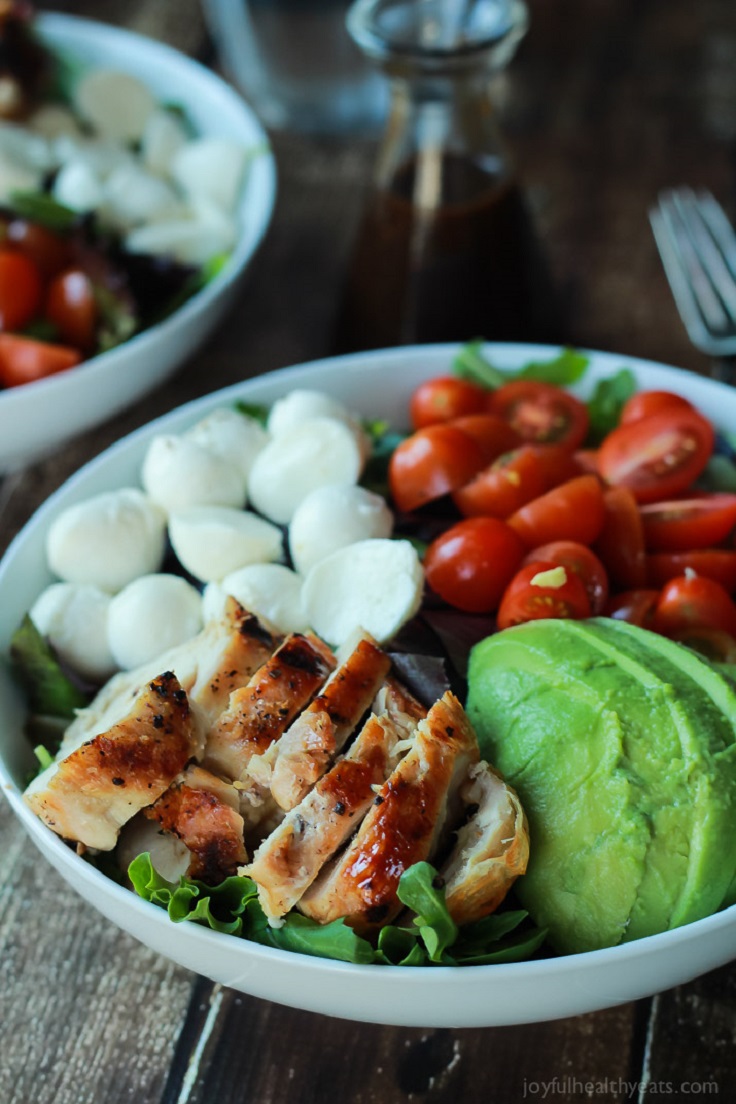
470	267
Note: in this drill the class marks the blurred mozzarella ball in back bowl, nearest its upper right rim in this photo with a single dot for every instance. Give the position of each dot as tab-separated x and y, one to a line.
211	169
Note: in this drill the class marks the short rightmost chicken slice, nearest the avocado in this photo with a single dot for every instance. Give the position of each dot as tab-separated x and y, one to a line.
492	850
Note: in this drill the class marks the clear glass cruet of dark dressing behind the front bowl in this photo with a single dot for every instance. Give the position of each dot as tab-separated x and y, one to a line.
446	249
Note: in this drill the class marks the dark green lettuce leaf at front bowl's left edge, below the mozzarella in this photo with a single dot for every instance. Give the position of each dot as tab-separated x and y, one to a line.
50	692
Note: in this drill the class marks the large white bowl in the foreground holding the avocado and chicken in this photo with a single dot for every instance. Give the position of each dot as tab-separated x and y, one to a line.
378	385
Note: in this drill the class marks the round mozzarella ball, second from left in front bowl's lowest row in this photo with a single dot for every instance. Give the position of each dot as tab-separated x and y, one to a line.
150	617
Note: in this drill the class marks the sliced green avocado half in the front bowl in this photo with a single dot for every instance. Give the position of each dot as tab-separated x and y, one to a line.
623	749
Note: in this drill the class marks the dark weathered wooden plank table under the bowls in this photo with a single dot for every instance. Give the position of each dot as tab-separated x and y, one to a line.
607	102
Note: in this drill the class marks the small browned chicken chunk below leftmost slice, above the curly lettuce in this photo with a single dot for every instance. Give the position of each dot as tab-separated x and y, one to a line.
202	812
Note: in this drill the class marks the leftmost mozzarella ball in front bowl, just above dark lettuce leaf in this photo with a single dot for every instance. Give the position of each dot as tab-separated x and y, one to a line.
73	618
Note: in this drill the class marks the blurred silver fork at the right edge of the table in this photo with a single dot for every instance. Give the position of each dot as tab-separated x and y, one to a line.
698	247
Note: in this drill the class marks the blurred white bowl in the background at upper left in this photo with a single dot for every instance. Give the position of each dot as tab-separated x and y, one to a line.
37	419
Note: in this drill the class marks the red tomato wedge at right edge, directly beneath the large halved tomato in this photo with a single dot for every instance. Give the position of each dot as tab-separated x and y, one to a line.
689	524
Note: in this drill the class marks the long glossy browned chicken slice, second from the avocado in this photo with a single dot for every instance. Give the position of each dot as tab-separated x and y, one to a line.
406	825
